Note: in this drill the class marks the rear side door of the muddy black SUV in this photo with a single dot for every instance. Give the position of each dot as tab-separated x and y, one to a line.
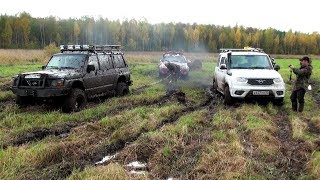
109	74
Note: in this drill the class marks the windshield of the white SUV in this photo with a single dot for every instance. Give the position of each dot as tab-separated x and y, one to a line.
250	62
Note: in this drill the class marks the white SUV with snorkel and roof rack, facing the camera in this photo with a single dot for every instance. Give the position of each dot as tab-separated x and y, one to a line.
248	73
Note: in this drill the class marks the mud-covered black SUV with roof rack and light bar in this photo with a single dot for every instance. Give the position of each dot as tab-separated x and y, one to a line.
75	74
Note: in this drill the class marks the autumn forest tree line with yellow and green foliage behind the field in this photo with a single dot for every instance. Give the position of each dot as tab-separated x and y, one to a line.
24	31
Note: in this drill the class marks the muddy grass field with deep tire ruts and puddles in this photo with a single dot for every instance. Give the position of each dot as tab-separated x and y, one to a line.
157	132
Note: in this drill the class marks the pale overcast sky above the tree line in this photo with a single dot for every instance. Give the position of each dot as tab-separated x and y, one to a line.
283	15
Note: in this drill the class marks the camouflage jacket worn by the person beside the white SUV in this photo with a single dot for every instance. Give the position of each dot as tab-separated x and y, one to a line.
303	76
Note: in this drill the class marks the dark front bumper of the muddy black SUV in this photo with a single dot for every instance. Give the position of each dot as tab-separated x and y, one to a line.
40	92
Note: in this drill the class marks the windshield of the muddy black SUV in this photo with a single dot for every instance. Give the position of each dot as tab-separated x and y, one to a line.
67	61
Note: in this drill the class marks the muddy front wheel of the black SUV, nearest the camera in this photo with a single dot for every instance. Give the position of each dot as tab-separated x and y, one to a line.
75	101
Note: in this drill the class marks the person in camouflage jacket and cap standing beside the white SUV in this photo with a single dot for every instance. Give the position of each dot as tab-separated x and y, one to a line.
301	84
